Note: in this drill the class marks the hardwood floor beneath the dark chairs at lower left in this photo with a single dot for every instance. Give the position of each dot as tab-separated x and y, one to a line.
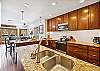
6	63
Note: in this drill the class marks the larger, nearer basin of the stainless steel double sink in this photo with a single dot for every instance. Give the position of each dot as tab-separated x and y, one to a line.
58	63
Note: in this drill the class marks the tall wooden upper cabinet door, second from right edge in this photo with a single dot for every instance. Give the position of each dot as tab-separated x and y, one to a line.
83	18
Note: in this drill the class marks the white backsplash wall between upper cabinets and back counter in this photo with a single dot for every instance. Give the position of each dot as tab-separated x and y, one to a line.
80	36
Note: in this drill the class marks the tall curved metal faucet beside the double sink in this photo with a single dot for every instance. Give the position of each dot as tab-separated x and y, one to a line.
36	55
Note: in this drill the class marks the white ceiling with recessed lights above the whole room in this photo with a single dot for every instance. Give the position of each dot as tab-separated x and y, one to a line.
11	9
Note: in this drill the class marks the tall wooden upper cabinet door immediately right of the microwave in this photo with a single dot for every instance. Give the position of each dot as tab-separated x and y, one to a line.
72	20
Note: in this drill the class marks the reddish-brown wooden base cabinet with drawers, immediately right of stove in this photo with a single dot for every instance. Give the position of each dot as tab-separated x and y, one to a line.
76	51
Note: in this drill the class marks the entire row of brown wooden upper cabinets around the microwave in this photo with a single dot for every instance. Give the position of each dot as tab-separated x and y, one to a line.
85	18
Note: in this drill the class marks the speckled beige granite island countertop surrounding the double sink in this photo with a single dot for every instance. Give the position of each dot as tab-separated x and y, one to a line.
29	64
